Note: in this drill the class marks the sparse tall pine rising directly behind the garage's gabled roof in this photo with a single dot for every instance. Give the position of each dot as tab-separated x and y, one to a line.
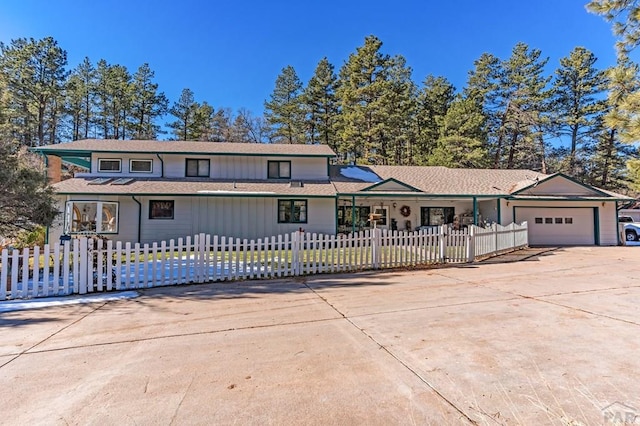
577	103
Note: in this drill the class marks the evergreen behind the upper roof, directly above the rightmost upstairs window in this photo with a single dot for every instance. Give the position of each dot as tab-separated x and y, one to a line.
284	111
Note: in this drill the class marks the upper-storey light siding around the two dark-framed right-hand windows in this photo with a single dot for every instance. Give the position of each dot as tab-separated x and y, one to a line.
247	167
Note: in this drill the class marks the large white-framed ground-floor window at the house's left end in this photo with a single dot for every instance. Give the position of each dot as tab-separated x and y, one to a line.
100	217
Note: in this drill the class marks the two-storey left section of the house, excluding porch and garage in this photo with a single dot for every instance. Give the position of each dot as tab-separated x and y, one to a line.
151	190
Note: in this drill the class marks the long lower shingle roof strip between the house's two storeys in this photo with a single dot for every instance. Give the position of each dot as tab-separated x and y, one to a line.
195	187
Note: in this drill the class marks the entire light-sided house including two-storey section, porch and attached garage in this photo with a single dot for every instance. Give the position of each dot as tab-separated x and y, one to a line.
144	191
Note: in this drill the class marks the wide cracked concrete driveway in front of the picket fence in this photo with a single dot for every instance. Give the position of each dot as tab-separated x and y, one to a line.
548	339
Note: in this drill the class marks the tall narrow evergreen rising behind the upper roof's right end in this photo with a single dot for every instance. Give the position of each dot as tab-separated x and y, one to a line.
321	105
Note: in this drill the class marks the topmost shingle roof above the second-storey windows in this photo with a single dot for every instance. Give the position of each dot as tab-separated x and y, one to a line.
187	147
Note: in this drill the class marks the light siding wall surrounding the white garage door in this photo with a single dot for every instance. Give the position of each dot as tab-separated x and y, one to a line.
606	214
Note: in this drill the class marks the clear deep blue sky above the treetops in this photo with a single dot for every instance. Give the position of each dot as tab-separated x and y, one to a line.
230	52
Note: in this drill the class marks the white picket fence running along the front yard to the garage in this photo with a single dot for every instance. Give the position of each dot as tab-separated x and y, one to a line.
86	265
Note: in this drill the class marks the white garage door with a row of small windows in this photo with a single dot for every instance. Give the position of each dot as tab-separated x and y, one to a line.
558	226
